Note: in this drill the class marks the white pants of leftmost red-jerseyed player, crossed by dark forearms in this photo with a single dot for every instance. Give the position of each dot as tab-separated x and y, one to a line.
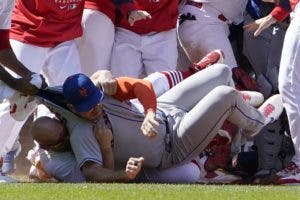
55	63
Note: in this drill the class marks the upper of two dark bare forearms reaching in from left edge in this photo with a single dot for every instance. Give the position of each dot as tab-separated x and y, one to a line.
9	60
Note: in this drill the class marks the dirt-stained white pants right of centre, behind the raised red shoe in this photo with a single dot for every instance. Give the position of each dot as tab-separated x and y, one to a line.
204	34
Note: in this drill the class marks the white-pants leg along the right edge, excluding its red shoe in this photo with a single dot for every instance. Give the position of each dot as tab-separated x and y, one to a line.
289	81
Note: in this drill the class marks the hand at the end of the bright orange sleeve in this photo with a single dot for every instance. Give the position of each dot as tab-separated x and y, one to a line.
149	126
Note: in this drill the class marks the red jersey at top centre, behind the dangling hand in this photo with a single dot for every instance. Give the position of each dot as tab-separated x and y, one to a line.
164	15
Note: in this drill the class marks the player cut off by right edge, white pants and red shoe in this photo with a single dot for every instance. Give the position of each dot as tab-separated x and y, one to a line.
289	89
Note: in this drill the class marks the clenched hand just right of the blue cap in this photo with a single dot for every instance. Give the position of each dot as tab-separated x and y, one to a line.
103	79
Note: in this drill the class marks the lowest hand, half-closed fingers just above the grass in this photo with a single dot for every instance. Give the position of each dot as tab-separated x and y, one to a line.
133	167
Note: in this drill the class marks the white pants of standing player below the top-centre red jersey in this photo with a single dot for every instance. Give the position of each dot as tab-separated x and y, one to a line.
133	53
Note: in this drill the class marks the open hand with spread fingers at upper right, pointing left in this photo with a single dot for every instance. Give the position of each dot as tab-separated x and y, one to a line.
259	25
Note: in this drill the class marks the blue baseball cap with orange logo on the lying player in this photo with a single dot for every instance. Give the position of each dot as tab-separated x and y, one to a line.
81	92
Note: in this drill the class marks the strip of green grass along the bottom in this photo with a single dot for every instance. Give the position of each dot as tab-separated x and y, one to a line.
41	191
